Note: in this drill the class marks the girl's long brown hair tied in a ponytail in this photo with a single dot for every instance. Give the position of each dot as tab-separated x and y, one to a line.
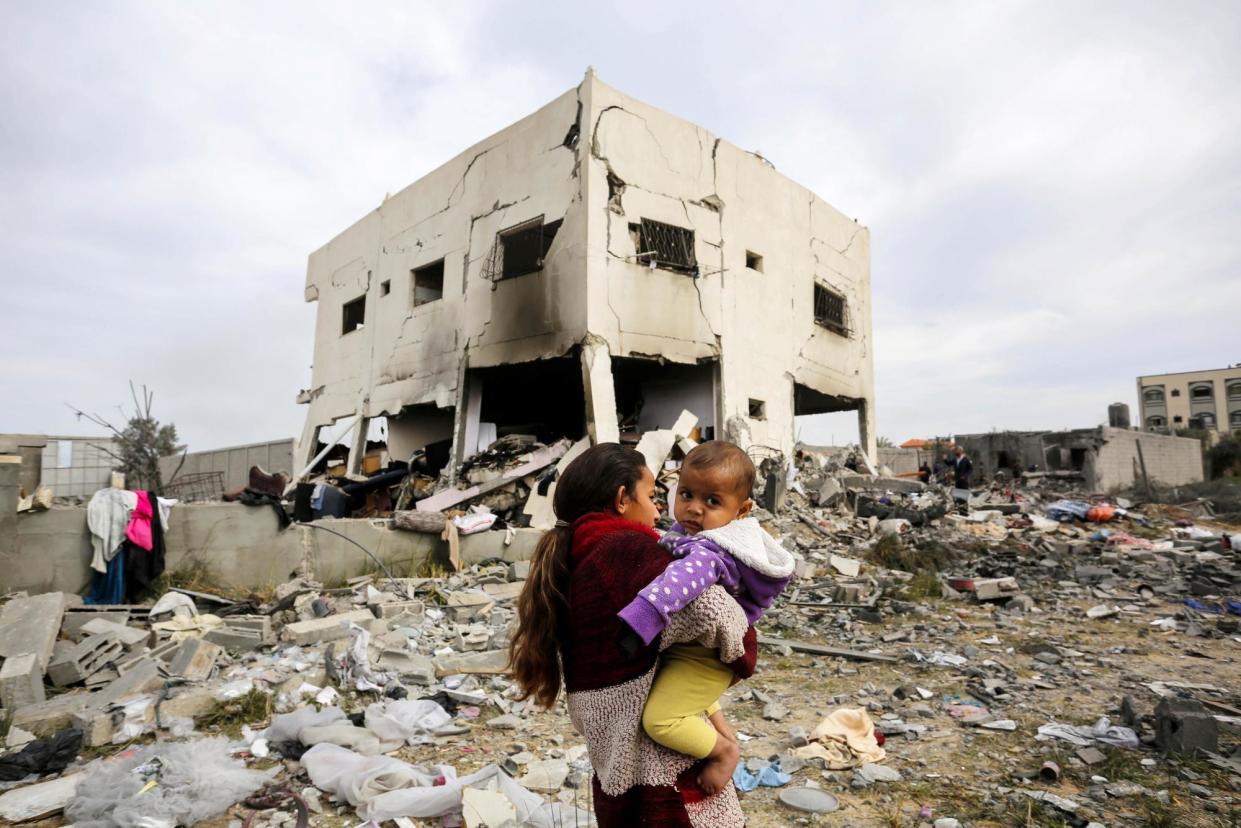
589	485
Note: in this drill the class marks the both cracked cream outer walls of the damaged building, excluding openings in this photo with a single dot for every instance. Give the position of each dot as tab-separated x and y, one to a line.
601	162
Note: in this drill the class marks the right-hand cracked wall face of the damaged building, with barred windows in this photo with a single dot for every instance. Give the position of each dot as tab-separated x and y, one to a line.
760	326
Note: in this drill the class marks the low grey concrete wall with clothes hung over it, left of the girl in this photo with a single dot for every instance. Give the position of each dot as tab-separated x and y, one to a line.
244	548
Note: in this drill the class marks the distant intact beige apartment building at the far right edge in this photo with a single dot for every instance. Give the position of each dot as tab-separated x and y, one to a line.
1202	400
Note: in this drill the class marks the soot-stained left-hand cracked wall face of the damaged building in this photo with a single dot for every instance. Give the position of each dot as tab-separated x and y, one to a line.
409	356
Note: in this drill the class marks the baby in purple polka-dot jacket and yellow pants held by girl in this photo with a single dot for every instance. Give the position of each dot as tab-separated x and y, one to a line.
714	542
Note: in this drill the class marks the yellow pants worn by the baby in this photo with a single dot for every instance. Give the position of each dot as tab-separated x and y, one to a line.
688	686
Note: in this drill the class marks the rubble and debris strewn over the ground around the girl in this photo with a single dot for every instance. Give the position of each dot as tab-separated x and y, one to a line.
1039	652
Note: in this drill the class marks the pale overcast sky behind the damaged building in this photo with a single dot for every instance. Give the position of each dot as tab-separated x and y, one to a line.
1054	191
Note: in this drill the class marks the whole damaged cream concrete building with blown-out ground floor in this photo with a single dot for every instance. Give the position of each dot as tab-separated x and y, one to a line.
595	269
